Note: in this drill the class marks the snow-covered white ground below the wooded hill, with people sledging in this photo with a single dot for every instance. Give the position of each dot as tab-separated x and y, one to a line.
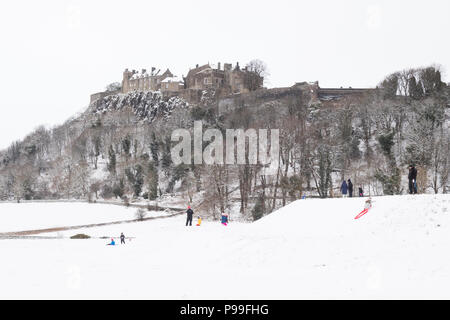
310	249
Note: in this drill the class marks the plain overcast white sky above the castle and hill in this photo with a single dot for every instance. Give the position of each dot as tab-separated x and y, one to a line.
54	54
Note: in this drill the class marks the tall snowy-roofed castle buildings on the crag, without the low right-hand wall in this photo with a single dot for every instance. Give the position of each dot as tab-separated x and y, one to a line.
224	81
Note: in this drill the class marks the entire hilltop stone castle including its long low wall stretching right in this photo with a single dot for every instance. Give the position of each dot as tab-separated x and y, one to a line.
226	81
